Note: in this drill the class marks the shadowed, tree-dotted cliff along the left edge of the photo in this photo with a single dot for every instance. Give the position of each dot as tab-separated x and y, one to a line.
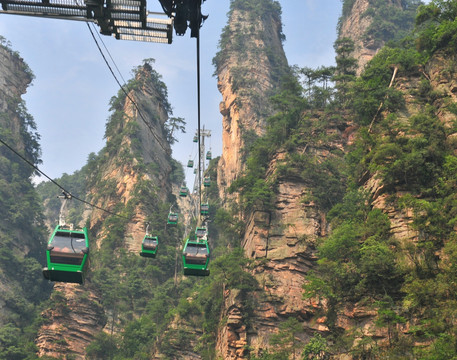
21	234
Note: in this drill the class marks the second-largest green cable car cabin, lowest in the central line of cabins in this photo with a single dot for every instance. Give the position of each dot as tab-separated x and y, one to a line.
195	257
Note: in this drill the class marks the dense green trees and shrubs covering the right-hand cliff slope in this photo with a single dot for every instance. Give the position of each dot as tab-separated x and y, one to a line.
412	159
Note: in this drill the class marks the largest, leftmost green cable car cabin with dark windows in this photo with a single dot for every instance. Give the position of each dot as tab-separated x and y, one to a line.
67	255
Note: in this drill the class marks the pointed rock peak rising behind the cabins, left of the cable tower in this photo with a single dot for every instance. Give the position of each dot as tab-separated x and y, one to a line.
143	110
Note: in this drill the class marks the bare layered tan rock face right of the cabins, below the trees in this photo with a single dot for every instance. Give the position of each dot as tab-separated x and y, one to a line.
283	244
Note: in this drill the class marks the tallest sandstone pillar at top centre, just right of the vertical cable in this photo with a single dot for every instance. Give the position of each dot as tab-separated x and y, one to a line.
249	67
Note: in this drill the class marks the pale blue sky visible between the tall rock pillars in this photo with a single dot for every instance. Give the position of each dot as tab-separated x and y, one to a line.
70	94
